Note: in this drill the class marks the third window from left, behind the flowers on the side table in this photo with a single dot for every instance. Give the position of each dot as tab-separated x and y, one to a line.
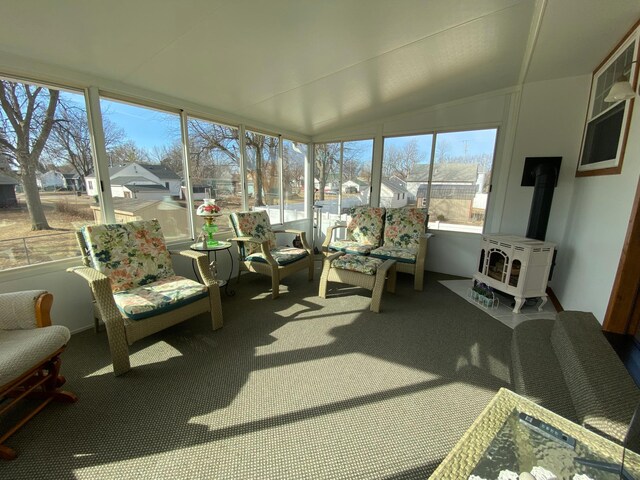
214	155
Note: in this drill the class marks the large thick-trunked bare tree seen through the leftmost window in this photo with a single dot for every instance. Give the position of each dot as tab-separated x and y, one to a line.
27	119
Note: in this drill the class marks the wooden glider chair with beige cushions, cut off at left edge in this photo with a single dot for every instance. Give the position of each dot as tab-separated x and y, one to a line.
30	349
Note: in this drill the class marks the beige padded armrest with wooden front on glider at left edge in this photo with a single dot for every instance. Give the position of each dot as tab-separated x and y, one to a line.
25	310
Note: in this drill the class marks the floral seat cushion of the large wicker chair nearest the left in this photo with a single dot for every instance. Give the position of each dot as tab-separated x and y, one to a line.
159	297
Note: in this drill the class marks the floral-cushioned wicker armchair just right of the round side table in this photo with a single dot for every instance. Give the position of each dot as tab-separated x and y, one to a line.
258	251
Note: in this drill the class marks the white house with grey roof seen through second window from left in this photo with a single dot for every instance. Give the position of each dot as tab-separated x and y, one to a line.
139	181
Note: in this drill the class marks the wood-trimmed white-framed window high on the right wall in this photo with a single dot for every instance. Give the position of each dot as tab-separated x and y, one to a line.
606	129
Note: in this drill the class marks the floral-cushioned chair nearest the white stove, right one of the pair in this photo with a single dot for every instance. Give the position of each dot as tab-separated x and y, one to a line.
405	241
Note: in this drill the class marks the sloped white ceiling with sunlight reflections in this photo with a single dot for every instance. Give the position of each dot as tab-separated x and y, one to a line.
312	66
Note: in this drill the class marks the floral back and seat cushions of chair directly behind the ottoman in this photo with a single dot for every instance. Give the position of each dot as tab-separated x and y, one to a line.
364	232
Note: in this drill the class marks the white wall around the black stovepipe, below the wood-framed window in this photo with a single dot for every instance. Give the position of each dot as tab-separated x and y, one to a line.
589	215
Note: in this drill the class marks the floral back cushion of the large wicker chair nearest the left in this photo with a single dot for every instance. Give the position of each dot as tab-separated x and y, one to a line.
130	254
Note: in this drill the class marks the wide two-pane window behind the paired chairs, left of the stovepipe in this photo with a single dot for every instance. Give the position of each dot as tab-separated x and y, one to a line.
451	180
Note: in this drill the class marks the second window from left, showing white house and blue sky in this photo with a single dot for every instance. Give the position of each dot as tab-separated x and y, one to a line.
146	166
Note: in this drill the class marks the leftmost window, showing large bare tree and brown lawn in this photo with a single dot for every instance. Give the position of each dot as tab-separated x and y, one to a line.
45	153
